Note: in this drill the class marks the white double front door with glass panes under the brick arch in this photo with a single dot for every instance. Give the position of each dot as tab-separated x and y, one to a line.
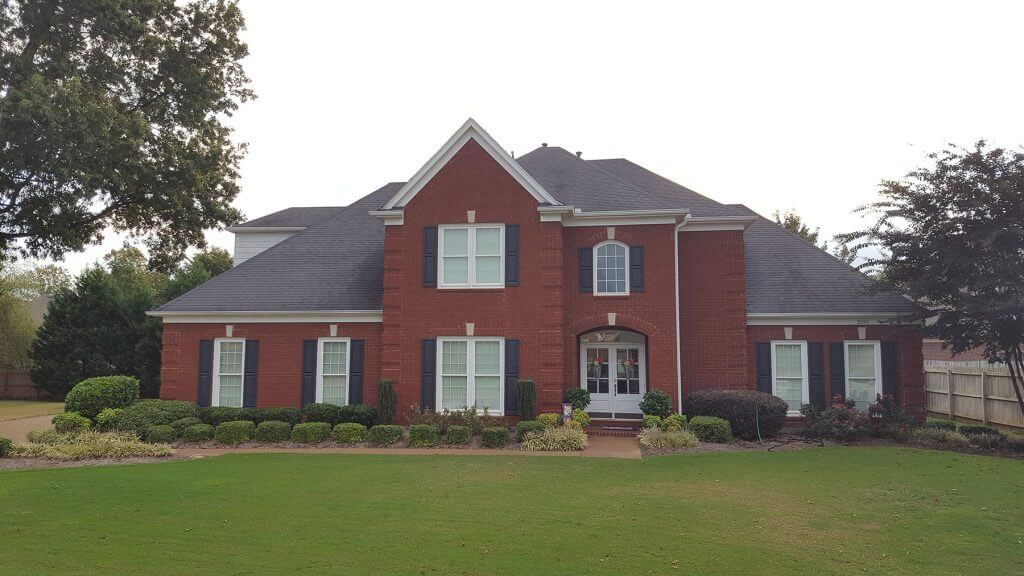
616	376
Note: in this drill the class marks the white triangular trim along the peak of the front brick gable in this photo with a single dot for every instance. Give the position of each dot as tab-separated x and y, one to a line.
471	131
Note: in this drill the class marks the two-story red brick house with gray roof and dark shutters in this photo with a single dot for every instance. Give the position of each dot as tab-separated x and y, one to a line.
484	269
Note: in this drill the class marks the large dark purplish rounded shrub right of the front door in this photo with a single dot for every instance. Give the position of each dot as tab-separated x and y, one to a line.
746	412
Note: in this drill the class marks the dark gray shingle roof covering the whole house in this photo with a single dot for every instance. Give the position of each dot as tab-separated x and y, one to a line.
785	273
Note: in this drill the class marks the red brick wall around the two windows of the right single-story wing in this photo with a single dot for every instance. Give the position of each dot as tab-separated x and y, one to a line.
909	344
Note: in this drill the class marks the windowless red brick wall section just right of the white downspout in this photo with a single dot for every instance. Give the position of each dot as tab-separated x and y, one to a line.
713	311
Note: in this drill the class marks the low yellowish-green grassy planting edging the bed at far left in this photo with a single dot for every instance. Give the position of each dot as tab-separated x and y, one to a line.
92	444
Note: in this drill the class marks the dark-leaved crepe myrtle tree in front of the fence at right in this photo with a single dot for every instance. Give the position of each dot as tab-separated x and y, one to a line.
952	237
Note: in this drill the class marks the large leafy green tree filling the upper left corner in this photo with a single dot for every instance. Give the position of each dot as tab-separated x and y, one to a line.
112	116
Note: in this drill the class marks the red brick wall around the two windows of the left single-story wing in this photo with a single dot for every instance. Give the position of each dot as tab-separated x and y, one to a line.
280	358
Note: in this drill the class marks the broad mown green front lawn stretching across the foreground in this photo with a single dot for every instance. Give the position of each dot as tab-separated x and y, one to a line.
830	511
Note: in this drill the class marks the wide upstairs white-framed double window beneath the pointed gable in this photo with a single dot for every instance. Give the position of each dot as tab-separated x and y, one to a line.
472	257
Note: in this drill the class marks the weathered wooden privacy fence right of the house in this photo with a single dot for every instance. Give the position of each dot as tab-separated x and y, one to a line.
979	394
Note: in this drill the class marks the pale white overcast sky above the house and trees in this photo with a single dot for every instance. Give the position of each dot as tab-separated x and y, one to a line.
774	105
